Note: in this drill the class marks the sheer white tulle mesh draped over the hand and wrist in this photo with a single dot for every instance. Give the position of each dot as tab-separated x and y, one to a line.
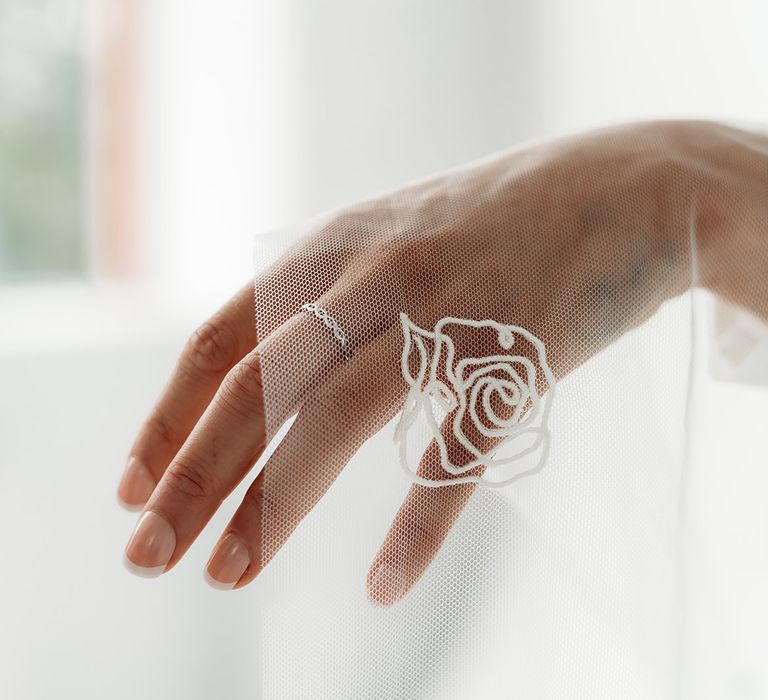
566	583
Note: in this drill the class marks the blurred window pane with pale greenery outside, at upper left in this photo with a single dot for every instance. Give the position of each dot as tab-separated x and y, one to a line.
42	110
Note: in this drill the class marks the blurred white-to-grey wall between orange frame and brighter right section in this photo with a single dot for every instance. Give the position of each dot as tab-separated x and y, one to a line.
260	114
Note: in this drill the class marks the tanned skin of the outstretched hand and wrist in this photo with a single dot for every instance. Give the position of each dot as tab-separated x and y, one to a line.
556	206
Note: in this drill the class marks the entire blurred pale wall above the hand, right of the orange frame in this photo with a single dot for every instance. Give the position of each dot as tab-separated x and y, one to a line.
256	115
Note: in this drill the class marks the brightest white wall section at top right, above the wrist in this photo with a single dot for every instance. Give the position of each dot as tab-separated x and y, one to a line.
606	61
